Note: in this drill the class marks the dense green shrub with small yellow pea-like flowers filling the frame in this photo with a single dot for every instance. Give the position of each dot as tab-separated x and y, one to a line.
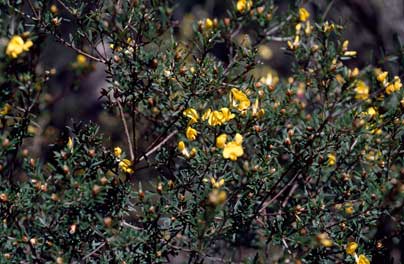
304	168
